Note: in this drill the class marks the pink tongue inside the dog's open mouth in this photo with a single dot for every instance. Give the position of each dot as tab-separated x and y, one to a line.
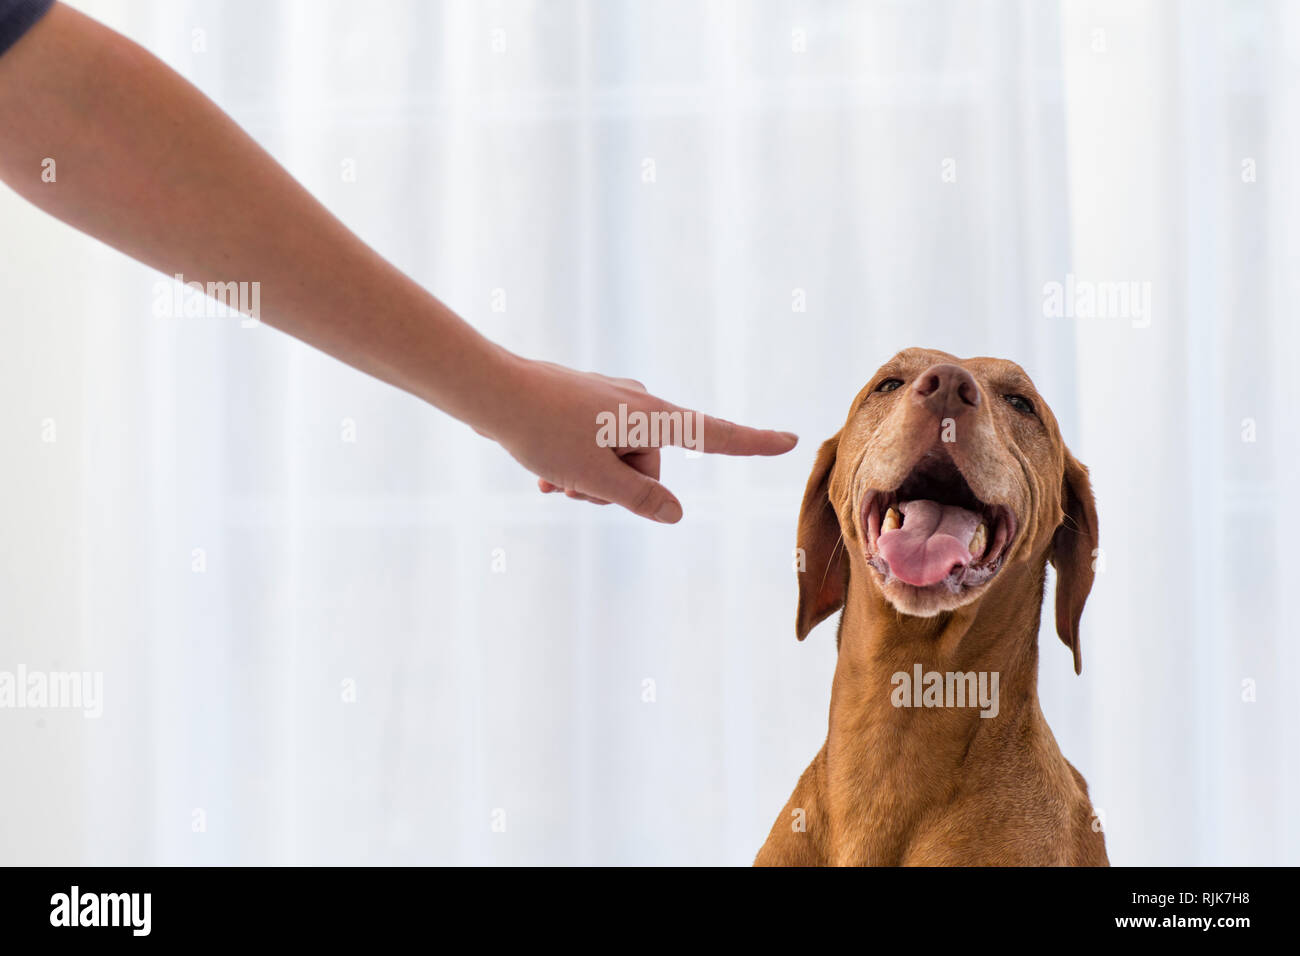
934	539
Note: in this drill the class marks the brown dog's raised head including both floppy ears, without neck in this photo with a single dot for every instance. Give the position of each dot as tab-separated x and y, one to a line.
946	474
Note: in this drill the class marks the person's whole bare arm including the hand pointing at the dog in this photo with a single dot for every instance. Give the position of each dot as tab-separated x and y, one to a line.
151	167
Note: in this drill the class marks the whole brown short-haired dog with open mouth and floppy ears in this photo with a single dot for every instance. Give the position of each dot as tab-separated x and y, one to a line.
931	518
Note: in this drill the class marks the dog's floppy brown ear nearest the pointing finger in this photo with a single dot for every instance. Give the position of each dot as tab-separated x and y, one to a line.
824	568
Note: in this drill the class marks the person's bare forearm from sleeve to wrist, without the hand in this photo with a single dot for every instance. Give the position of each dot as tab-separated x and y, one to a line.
150	166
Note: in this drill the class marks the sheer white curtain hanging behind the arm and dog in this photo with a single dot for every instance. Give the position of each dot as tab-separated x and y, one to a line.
336	626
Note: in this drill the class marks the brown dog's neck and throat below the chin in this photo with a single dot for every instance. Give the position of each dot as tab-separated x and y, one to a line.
904	760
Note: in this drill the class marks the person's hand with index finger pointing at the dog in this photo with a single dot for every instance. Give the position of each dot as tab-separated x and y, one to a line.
552	425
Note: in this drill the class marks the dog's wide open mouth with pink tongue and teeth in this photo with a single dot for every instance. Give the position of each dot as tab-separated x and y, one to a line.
934	531
